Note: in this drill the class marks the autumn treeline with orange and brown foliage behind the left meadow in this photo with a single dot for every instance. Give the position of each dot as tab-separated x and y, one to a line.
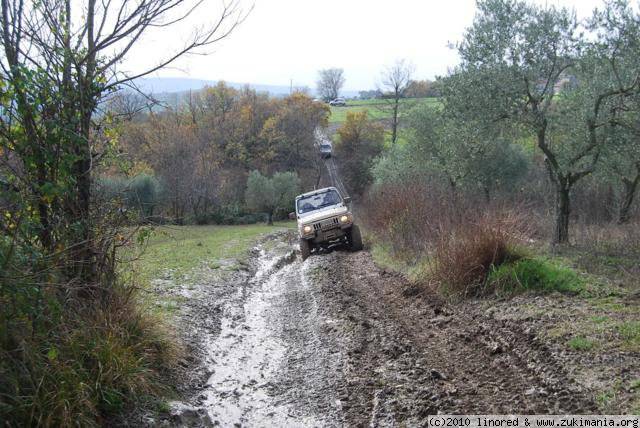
196	157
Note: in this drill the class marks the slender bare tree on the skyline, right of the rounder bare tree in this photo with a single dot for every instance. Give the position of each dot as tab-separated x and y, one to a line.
396	79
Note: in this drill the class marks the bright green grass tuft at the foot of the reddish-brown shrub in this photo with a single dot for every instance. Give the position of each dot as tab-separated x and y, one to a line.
539	274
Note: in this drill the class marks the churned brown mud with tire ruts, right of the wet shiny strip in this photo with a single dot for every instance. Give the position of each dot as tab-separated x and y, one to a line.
425	356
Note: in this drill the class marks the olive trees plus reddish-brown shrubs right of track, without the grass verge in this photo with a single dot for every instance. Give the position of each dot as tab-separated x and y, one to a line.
537	131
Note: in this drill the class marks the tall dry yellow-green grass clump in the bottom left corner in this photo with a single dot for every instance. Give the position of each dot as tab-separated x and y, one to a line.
93	361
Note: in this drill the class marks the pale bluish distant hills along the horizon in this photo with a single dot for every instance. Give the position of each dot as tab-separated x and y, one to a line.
169	85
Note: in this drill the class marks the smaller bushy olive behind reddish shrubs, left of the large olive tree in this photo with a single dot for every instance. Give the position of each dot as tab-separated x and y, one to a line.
465	154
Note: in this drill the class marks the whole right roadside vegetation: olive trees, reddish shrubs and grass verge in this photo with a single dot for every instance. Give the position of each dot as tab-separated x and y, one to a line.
513	196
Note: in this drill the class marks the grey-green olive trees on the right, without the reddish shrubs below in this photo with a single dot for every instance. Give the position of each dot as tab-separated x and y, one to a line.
542	108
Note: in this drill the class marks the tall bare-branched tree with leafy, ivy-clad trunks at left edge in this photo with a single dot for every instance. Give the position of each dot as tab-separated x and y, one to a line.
60	60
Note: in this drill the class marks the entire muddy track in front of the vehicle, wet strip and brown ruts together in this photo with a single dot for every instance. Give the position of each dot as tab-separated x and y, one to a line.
335	341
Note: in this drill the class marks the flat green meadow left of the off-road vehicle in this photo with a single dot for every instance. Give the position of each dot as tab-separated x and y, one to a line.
179	249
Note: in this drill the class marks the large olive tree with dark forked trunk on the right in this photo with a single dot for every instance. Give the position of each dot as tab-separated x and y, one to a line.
535	68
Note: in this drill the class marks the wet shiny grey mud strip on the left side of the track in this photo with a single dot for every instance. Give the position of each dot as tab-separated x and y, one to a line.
255	356
